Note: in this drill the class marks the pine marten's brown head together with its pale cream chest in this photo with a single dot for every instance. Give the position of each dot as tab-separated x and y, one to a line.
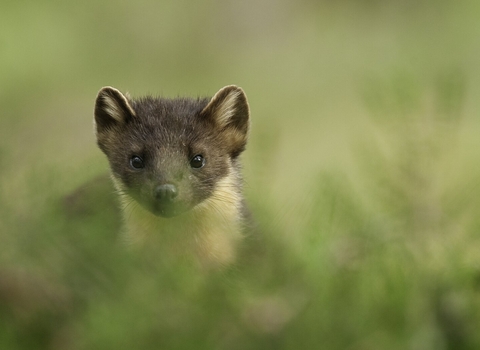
175	164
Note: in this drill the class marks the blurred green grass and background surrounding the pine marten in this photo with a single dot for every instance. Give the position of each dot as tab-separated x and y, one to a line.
362	172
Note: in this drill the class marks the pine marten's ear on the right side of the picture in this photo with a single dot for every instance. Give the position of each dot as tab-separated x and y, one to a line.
230	113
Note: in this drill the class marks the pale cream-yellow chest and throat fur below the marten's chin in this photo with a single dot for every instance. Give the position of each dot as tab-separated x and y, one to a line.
209	233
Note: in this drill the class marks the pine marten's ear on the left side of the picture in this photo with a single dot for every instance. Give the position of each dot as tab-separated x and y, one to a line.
111	108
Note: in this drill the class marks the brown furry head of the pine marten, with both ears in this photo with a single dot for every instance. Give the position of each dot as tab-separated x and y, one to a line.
168	154
